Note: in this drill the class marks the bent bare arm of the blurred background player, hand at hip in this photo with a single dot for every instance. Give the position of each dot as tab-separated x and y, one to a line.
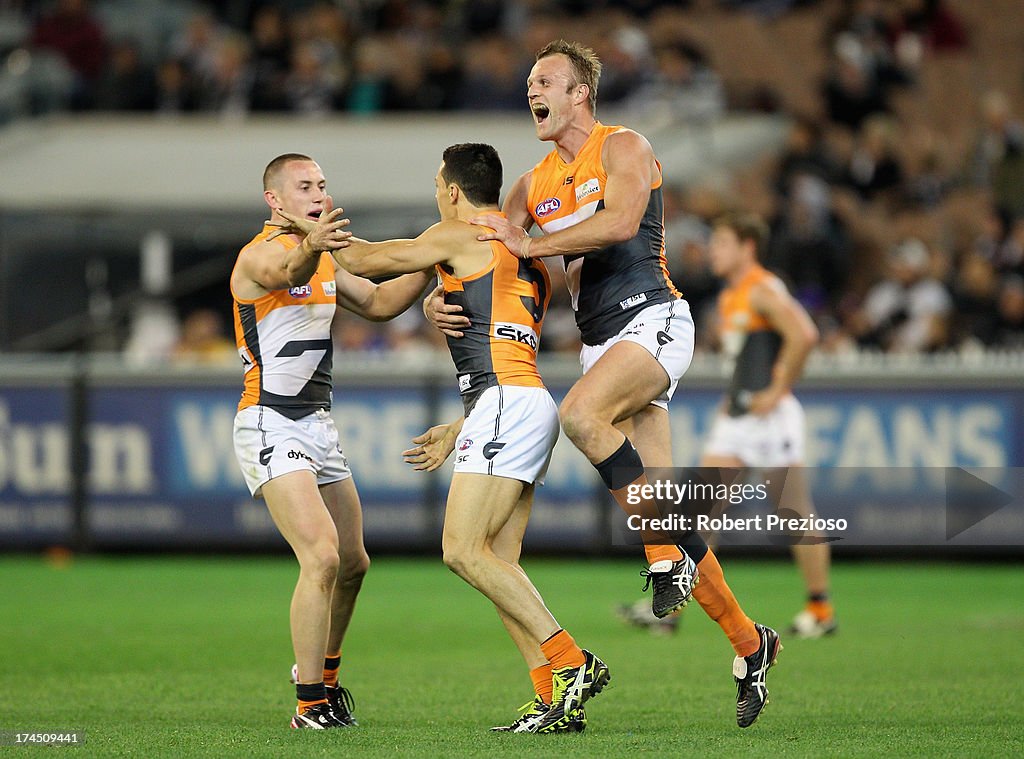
799	334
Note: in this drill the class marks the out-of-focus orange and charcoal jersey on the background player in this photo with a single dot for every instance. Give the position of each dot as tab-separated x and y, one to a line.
748	339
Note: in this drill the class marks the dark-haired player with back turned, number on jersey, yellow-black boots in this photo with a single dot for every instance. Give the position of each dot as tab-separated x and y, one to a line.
509	430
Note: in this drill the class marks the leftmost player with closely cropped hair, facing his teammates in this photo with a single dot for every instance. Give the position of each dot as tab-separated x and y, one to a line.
286	290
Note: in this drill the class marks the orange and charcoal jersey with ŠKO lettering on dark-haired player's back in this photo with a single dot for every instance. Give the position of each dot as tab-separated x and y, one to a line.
505	304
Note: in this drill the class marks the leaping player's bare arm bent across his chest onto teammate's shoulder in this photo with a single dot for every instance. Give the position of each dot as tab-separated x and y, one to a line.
629	162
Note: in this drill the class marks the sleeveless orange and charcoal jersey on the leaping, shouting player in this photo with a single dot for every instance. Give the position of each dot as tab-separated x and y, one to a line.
610	286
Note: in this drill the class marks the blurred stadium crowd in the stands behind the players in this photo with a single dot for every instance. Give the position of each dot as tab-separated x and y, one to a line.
897	218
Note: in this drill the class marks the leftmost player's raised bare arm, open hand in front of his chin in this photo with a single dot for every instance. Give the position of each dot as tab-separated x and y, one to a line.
270	266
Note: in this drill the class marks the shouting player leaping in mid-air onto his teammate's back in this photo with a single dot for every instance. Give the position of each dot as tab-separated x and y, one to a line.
598	197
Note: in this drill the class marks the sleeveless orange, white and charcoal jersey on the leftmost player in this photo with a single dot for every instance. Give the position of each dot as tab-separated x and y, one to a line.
284	339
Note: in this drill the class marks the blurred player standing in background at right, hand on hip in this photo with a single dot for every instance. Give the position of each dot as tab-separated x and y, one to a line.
769	335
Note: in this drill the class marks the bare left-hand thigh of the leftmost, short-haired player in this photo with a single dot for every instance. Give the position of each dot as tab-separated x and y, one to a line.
296	508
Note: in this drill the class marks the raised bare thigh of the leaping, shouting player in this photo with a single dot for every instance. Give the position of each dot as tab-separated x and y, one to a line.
623	382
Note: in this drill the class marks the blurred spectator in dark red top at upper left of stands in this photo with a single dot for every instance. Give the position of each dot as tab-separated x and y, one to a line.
72	31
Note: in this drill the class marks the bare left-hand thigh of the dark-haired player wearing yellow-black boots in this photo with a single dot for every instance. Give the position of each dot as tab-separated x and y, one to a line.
479	507
